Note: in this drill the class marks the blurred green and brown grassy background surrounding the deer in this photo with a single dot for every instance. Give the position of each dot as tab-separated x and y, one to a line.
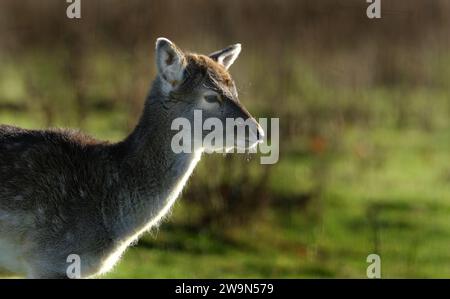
364	110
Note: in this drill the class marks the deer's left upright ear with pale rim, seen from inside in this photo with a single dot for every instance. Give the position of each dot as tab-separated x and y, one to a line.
170	61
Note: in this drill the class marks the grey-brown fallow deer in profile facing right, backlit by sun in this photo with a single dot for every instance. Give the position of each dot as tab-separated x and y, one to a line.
63	192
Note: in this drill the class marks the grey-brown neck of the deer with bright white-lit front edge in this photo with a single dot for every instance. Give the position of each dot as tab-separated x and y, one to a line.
152	173
